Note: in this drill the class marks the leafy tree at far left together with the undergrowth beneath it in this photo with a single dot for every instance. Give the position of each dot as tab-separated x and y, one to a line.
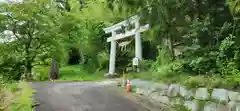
36	39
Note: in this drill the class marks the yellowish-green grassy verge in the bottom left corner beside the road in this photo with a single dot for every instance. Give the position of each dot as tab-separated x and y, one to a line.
16	97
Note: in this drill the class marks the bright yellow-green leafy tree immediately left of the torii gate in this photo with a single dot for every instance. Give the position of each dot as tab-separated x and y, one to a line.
84	28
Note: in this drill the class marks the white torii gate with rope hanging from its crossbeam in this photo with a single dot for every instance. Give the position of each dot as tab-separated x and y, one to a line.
113	39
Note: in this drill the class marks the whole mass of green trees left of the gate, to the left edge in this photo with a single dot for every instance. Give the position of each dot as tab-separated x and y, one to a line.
65	30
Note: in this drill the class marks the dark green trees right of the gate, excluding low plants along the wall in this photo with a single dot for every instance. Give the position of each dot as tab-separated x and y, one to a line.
194	29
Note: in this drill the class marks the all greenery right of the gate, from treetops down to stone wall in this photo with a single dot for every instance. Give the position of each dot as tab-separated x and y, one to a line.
194	38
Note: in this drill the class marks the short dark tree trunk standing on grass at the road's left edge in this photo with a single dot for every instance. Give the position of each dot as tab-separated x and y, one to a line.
54	71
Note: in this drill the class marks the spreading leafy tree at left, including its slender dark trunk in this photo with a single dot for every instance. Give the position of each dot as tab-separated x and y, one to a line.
35	29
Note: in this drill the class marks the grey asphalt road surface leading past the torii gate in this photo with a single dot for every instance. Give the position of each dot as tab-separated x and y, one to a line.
82	96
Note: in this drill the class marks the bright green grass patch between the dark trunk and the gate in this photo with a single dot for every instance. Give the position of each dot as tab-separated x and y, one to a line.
77	73
